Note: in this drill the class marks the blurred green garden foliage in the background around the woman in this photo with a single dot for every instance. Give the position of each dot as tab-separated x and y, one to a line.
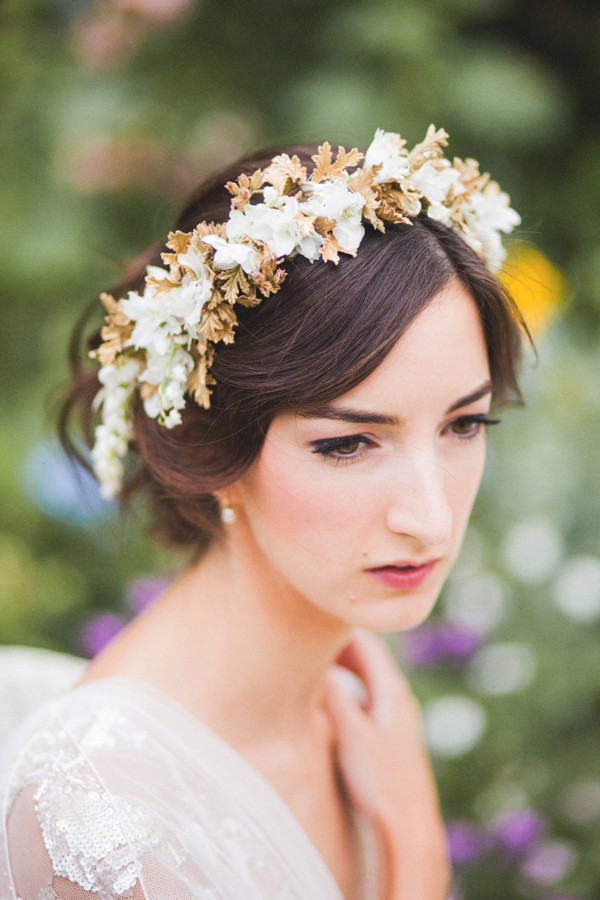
111	111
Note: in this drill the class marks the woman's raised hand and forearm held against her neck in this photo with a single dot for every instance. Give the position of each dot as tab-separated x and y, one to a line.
387	774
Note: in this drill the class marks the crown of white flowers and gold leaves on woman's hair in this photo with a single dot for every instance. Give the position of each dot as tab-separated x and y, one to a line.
162	340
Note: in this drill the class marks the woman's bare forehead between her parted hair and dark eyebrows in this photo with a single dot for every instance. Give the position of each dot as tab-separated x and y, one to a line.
443	352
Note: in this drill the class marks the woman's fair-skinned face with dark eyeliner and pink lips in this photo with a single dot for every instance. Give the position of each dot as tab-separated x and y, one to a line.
361	506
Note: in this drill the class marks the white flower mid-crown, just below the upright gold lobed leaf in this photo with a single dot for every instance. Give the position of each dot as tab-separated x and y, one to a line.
334	200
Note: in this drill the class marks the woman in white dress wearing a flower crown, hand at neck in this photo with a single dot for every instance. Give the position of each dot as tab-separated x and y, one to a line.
304	388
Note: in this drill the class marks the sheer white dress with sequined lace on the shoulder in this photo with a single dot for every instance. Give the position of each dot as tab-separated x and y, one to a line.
114	791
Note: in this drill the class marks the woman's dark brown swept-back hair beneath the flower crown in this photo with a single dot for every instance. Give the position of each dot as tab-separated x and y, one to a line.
324	332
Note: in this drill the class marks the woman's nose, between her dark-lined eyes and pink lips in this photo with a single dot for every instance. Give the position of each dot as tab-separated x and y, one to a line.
419	505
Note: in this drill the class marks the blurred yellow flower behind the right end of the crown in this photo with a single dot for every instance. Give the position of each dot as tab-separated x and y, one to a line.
537	285
